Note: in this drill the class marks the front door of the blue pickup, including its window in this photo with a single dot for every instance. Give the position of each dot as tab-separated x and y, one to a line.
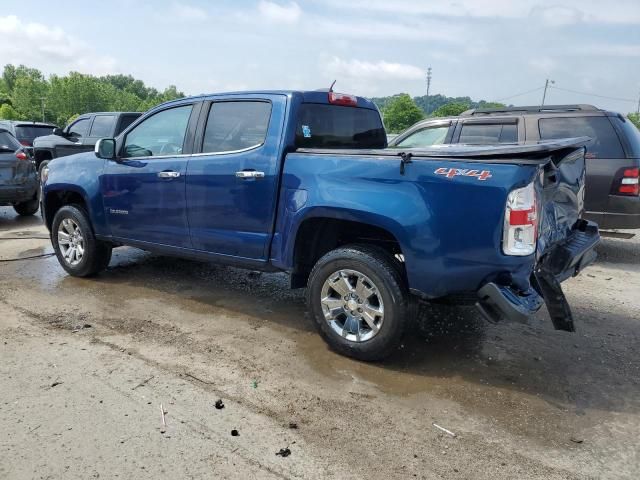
144	191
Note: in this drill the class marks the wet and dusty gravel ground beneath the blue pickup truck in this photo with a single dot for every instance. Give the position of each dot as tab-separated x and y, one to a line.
86	364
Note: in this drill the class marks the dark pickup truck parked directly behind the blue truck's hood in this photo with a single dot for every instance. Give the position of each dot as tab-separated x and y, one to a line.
80	135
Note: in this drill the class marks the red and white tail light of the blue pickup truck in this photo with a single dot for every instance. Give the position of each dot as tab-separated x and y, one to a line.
520	222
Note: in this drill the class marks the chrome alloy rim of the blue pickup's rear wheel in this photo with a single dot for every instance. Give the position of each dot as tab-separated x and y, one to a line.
352	305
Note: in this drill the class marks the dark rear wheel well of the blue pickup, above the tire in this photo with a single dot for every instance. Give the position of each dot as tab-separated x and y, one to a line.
318	236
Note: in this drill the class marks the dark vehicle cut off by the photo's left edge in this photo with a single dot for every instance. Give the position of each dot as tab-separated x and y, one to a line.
18	178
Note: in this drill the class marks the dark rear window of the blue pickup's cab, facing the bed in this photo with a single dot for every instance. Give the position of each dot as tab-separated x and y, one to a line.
334	126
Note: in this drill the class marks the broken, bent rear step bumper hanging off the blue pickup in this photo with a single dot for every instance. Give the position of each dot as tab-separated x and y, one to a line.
499	302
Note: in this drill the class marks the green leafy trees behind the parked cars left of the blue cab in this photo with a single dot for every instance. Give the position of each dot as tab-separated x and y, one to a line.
65	97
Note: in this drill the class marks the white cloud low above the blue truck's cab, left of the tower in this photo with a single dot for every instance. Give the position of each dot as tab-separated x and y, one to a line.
379	71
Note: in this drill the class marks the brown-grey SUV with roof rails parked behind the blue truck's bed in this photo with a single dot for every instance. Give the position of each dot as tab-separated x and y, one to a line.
613	157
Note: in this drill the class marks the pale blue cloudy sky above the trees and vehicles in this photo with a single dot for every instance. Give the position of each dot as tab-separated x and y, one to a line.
489	49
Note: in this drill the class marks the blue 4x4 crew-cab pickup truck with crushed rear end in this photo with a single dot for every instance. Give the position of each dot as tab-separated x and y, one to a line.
302	182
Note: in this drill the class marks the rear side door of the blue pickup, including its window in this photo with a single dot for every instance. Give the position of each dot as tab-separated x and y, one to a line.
232	182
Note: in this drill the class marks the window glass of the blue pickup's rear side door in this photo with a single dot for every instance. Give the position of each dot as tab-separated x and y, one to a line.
233	126
